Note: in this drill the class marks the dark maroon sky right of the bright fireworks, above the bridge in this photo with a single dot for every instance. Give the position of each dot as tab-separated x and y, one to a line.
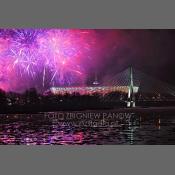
151	51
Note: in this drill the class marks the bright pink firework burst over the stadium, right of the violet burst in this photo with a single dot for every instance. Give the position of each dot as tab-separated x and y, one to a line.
64	52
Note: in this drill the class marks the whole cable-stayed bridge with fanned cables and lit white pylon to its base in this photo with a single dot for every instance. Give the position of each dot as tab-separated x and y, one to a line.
139	82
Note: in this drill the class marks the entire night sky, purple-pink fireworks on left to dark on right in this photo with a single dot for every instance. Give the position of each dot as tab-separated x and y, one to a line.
43	58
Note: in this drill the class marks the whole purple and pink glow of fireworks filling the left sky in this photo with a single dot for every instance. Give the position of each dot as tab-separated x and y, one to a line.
42	58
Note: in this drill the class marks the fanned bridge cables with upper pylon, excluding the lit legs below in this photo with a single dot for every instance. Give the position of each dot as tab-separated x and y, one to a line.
145	83
